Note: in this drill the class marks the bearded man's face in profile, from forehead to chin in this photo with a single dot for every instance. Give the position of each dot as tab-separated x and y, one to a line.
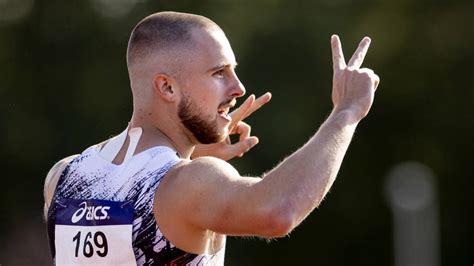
209	87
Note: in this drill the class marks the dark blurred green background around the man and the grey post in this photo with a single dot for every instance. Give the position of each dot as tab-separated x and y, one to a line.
64	86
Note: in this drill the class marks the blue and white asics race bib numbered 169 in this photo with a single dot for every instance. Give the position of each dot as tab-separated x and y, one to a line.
94	232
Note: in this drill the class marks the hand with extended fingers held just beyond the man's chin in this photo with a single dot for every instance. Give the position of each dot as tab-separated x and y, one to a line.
225	150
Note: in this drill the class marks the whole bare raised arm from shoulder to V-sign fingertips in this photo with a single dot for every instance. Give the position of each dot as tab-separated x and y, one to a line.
213	196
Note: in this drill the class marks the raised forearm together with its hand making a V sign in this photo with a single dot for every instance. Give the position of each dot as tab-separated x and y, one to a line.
306	176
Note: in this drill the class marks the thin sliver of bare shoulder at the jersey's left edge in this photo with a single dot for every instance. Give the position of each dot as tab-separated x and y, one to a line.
52	179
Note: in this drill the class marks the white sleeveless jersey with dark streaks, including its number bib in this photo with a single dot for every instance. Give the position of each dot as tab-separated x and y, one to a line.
102	213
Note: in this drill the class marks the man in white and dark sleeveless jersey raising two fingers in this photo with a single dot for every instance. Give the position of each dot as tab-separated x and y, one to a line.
147	197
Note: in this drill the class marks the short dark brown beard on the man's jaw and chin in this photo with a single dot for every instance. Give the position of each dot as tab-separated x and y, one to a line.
204	129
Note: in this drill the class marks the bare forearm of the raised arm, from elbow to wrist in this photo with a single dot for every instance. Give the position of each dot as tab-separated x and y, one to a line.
300	182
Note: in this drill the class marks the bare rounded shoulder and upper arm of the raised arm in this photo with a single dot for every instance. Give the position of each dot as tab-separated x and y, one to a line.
199	196
